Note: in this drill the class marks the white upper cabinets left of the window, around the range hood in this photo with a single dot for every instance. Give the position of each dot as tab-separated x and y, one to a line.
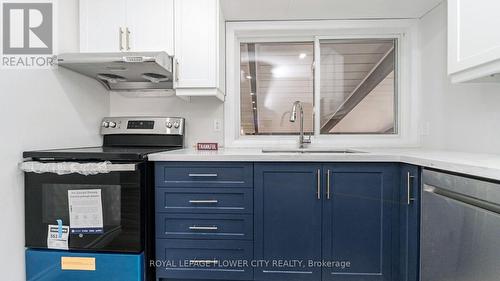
191	30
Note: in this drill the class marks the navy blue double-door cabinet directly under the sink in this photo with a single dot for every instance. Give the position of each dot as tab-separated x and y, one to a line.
327	222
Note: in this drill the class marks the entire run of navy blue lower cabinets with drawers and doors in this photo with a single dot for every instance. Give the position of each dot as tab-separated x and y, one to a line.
310	222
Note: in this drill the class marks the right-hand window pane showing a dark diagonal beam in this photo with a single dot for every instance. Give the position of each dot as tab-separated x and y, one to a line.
358	87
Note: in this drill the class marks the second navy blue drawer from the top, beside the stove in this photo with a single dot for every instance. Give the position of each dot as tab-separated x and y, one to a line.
204	200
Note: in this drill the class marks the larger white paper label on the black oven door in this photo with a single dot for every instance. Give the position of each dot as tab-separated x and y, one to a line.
85	211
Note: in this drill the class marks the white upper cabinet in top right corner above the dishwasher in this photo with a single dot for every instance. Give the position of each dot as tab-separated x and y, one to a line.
473	40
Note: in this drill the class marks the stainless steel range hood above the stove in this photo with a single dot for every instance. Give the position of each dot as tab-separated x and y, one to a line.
123	71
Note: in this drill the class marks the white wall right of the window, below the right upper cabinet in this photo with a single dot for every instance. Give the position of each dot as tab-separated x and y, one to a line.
459	117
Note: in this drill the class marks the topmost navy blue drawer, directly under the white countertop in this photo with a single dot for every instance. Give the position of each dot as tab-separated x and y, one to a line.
188	174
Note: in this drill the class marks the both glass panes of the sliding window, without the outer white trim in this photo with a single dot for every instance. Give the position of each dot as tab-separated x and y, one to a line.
357	87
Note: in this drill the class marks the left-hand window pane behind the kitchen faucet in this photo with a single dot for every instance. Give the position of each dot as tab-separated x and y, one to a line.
274	76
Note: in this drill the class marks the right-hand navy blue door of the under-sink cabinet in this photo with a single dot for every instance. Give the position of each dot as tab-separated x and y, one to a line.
361	221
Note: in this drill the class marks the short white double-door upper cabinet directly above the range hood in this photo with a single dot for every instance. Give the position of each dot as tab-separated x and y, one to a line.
126	26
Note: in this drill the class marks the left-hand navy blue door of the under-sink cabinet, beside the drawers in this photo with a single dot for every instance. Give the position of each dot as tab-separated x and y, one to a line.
287	216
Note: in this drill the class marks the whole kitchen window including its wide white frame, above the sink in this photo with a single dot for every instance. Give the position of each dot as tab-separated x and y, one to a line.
354	78
